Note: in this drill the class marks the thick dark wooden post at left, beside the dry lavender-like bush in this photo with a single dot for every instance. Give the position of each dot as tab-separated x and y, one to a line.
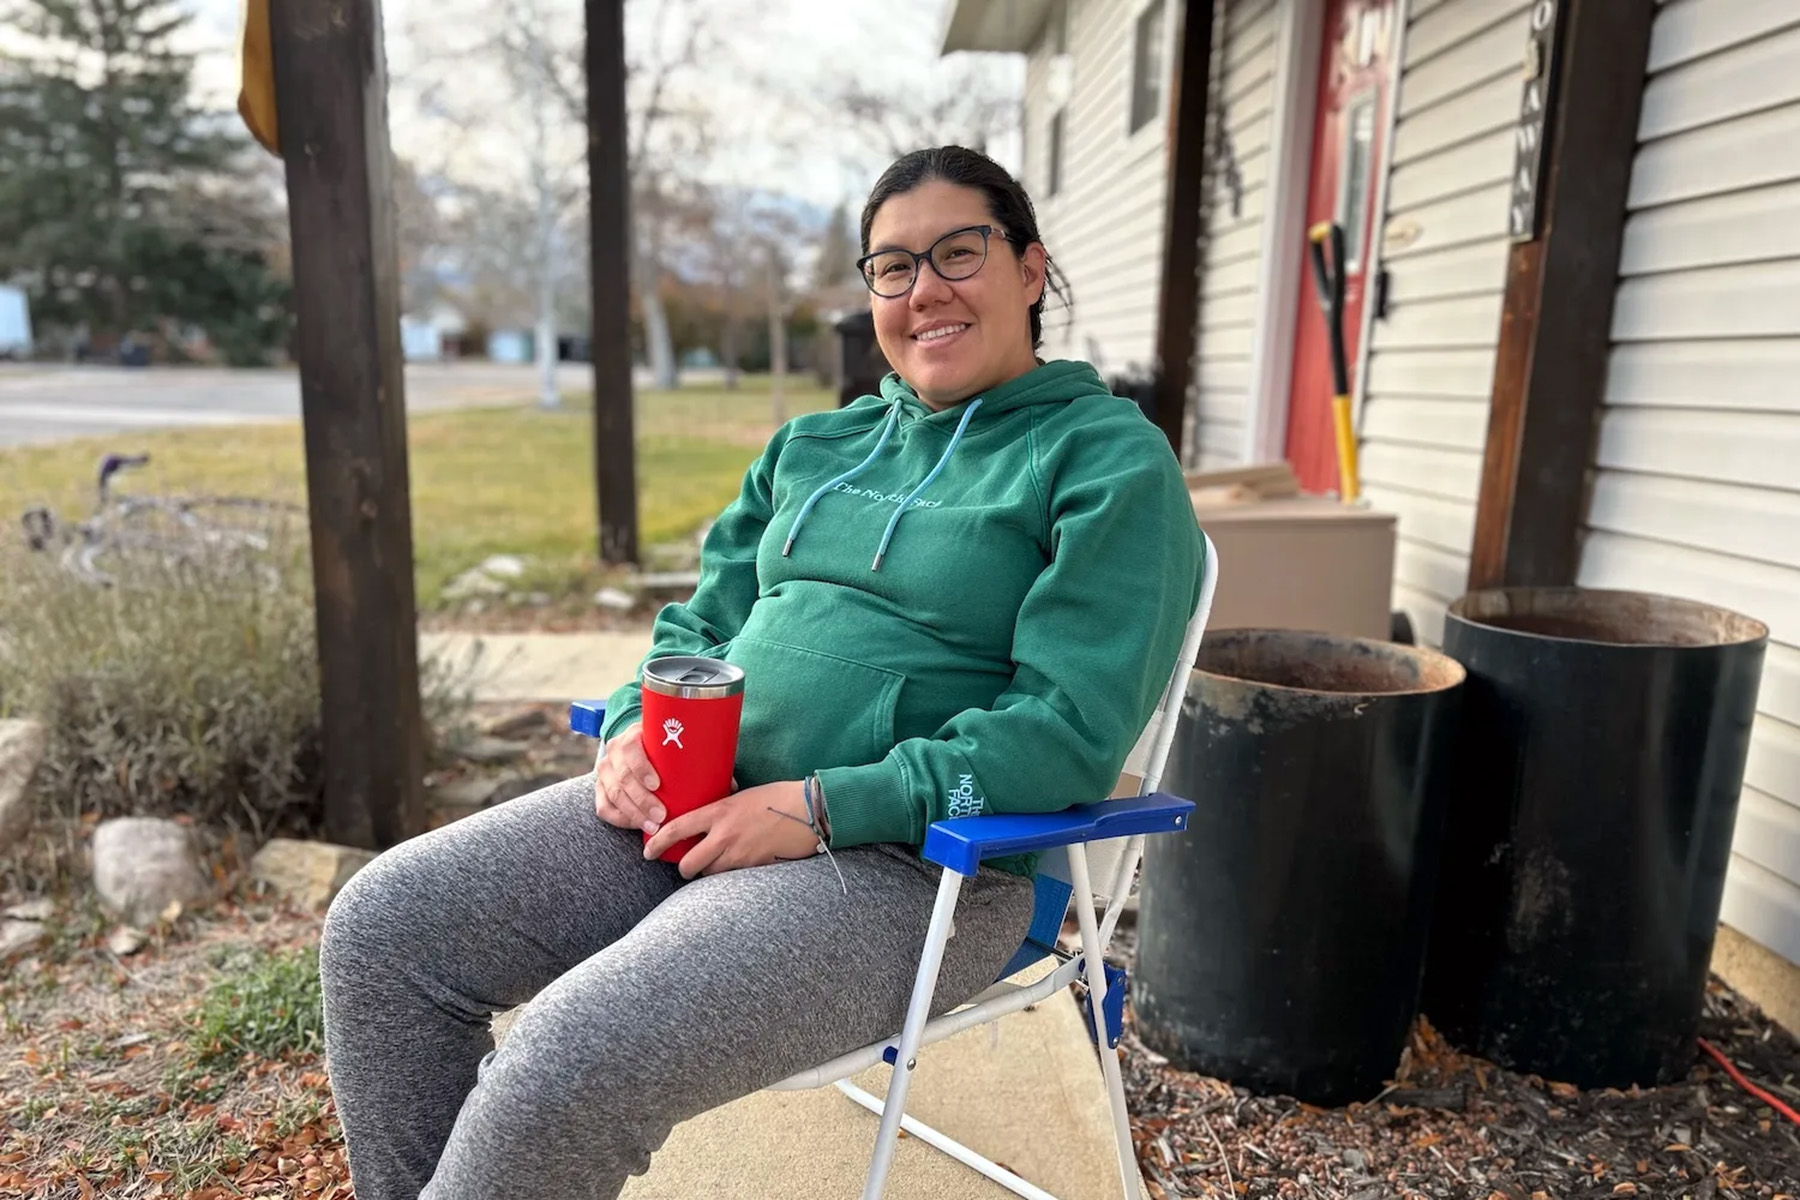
332	103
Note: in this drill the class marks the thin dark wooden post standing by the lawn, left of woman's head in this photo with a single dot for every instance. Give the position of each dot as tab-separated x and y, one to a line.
611	240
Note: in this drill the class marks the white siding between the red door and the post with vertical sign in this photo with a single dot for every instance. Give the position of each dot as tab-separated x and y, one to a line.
1432	357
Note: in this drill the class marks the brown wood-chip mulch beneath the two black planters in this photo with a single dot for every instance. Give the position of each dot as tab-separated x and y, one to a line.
1455	1127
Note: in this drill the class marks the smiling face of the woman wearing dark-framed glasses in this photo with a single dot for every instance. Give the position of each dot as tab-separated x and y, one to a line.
955	339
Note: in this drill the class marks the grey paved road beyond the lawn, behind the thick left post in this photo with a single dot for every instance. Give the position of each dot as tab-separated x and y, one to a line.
42	404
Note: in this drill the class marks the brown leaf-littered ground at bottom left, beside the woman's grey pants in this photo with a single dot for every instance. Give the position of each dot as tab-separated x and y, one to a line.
100	1098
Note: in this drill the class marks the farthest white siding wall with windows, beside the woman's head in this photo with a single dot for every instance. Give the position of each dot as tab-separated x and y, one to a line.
1104	229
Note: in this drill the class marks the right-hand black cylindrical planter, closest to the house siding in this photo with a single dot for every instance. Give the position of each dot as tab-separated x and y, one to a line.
1597	773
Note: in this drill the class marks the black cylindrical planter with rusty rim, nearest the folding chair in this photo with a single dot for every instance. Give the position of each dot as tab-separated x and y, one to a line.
1282	938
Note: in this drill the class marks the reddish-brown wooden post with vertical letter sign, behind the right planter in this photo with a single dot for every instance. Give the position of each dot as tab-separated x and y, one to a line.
1554	346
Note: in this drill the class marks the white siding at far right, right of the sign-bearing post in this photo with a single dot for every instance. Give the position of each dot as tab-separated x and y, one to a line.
1698	460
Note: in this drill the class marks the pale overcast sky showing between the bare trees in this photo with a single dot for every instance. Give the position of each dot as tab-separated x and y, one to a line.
762	143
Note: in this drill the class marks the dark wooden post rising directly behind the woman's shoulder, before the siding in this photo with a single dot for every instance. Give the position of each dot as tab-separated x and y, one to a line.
1180	303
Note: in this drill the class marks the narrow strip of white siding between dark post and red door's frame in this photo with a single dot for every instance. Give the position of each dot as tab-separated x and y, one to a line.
1245	62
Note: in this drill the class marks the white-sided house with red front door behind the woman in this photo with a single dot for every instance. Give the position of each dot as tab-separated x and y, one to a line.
1407	121
